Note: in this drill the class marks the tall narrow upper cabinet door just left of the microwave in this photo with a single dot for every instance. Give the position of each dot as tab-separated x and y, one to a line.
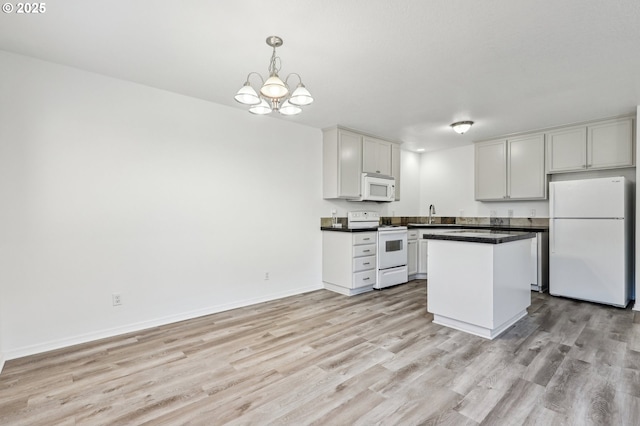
349	164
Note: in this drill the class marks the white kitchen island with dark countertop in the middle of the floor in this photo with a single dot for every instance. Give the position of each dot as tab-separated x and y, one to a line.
479	279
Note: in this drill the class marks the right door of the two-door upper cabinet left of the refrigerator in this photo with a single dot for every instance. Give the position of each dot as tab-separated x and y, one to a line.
525	168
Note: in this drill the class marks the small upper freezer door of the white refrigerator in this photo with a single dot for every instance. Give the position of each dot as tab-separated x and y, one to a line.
603	198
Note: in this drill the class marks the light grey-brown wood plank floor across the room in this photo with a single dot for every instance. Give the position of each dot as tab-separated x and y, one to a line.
325	359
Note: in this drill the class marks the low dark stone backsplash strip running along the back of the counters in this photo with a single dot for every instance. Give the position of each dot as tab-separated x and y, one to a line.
497	221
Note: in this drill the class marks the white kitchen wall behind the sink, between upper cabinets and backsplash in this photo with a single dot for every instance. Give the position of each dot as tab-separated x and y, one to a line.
447	182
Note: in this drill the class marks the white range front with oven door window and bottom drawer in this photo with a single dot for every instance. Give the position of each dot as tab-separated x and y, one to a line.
392	256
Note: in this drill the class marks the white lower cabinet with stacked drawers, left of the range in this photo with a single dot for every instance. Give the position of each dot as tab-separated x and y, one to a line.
349	261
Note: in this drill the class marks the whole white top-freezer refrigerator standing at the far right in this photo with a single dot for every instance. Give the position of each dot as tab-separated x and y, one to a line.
590	234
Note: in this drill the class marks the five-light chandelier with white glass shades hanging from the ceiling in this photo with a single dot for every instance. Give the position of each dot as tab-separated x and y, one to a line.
274	94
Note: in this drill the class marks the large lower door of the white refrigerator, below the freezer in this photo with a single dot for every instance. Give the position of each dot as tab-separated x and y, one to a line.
587	260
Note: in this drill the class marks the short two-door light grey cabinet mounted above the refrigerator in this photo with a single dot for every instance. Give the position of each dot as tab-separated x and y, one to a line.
602	145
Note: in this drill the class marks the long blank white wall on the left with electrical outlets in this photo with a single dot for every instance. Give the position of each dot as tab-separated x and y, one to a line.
179	205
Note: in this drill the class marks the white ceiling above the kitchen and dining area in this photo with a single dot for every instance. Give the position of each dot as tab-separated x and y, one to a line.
400	69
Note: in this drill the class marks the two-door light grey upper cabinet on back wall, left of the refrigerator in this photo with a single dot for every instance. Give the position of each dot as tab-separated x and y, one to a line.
510	169
